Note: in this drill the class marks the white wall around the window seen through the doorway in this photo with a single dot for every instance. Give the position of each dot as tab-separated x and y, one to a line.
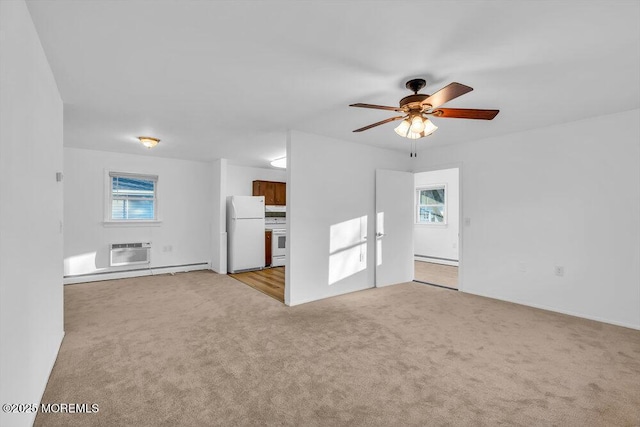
439	241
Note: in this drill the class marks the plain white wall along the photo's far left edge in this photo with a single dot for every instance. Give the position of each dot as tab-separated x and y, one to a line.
31	303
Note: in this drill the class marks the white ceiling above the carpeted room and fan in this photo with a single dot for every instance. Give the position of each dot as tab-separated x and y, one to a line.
227	78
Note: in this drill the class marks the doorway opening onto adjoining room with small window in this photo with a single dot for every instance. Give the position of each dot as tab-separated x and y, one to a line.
436	227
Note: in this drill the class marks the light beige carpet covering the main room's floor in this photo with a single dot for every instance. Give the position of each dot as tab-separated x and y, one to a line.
200	349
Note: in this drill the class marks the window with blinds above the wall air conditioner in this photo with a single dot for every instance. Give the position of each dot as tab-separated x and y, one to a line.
132	197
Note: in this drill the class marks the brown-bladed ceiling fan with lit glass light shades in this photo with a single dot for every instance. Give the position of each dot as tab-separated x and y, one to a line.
416	107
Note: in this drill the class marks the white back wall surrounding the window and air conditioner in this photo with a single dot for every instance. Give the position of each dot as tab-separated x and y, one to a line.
184	205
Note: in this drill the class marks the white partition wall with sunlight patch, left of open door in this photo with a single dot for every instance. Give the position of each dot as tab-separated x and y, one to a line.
330	183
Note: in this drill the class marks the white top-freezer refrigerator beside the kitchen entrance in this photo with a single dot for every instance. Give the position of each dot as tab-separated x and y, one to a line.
245	233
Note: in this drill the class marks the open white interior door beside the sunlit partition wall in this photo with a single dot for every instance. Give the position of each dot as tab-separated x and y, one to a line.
394	227
